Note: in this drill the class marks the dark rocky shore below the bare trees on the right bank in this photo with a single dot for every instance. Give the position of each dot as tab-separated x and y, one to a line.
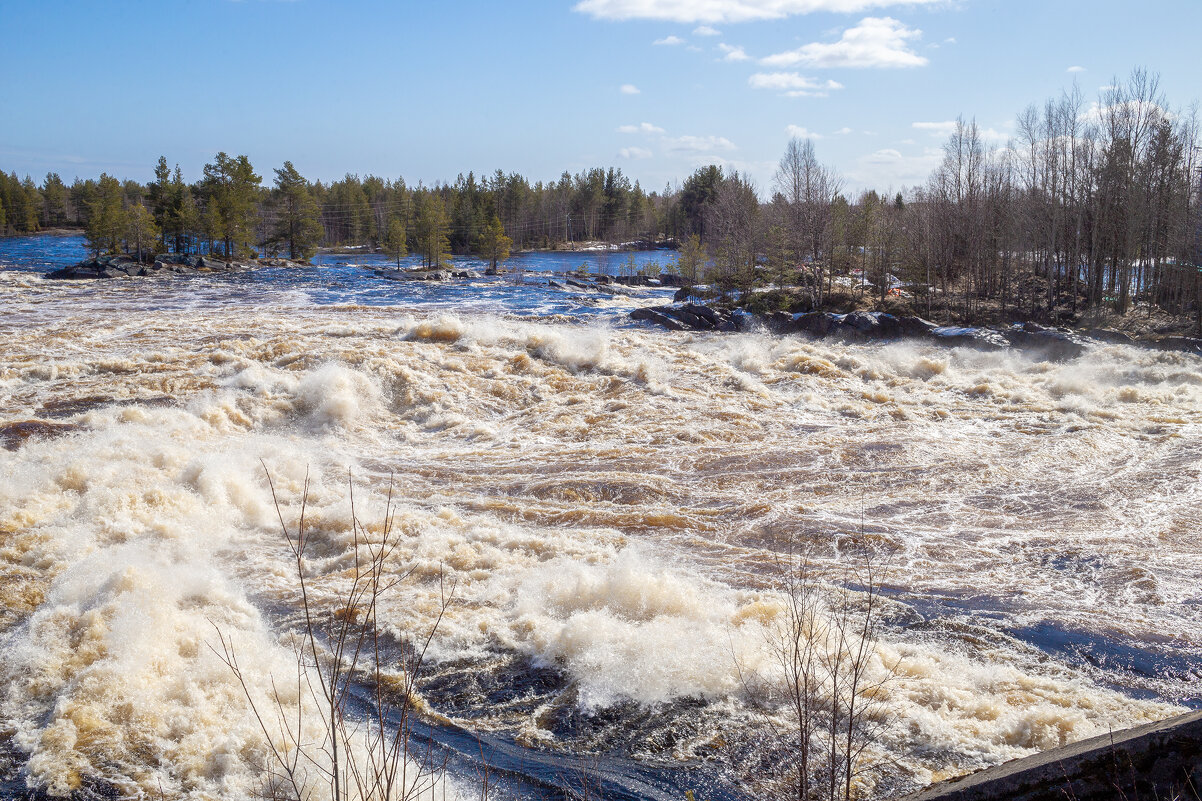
1055	345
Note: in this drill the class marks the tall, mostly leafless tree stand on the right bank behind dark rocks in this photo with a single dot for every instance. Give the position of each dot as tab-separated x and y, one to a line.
1088	206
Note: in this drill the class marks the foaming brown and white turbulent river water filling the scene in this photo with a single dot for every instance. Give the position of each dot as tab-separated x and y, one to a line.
609	502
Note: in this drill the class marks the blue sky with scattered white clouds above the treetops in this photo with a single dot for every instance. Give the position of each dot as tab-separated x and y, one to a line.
429	91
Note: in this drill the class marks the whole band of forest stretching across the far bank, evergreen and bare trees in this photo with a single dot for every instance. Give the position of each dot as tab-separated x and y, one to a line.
1090	205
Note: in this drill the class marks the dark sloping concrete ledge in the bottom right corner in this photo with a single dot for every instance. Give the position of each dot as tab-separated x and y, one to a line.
1156	762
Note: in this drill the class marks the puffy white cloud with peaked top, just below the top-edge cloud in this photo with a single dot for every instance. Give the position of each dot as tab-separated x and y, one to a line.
876	43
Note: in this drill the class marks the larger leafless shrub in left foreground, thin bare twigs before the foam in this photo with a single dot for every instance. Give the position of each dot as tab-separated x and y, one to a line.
318	747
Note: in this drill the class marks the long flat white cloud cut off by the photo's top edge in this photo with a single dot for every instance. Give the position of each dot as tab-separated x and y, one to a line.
717	11
